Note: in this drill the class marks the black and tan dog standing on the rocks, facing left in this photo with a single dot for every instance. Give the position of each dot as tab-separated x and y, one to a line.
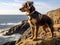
36	19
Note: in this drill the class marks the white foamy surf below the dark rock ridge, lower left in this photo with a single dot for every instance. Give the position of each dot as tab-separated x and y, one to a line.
4	39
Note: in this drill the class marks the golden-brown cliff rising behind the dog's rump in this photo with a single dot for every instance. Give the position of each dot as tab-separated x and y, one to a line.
55	15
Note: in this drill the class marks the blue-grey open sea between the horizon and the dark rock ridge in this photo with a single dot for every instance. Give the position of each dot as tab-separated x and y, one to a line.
8	21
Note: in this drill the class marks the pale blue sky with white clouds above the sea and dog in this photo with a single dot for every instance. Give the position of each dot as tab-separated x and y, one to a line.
42	6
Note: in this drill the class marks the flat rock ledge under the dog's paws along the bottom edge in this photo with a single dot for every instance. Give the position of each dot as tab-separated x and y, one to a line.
40	42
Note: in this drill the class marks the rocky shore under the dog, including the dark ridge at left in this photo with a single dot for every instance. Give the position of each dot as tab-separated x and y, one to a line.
25	30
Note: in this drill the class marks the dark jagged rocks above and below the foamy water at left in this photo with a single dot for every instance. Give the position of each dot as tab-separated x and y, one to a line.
20	29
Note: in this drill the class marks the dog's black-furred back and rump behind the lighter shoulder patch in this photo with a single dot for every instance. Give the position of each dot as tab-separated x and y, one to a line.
45	19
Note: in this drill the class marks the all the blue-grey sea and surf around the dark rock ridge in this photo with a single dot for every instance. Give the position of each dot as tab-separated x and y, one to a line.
8	21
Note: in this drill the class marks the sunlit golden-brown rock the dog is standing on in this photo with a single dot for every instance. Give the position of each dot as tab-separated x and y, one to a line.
42	39
